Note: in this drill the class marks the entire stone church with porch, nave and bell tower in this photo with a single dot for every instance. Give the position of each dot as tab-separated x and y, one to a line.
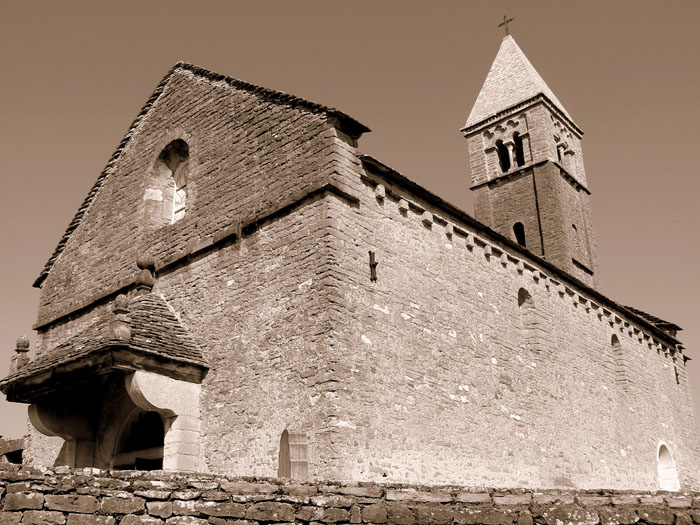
244	292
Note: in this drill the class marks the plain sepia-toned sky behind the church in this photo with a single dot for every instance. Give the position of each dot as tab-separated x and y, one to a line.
75	74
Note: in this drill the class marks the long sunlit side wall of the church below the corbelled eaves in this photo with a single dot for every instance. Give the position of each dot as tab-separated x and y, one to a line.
450	385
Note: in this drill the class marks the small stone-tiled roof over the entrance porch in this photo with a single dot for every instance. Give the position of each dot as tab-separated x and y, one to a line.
155	330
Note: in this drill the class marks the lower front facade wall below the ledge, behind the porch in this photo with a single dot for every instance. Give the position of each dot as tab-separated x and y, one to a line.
258	309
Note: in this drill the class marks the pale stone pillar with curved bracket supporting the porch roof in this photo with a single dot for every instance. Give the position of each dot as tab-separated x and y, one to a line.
178	402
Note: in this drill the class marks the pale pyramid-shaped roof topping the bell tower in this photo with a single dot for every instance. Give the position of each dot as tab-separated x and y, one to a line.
512	79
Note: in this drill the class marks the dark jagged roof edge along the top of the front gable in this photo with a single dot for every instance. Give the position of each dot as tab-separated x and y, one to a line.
347	123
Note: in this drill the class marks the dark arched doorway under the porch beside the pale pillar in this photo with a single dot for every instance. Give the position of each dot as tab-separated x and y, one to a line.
140	442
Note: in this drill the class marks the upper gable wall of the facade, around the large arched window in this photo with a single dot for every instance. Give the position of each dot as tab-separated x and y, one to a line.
248	157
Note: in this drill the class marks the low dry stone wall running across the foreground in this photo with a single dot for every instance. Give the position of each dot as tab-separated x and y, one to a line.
63	496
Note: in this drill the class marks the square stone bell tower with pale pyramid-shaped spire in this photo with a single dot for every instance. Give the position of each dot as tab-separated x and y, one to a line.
527	170
